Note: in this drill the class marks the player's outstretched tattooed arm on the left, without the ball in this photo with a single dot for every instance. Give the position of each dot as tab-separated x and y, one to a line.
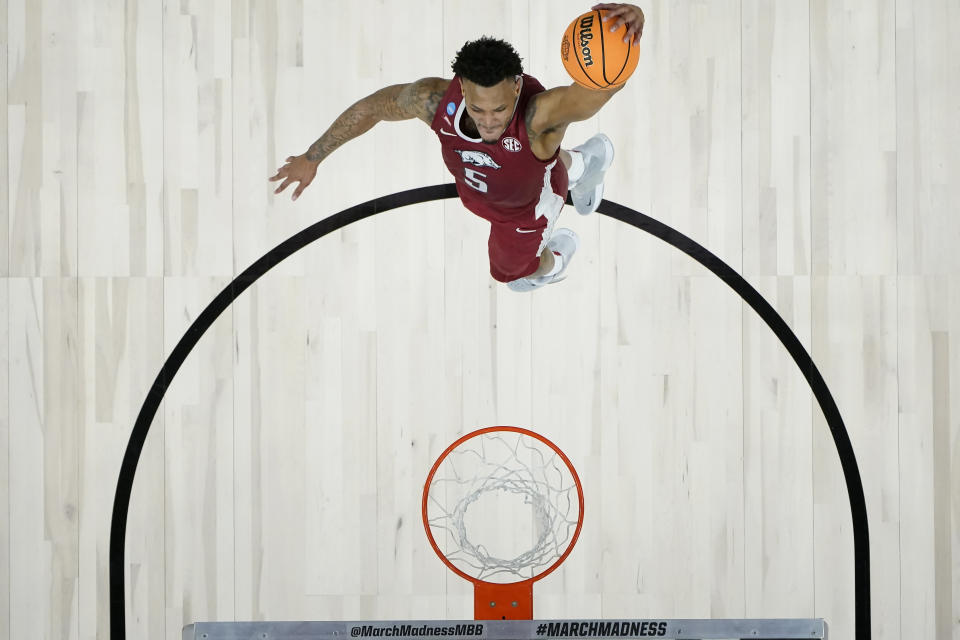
398	102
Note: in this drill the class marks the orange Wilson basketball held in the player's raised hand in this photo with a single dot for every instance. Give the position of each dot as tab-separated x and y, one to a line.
593	56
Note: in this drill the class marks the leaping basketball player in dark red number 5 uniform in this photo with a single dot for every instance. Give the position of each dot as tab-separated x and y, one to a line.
500	135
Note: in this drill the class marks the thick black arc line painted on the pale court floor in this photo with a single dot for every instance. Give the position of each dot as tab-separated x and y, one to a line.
128	468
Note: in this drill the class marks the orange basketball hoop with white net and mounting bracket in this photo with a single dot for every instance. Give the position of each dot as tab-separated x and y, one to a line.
513	484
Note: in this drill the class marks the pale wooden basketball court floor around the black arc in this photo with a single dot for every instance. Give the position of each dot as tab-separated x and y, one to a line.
811	145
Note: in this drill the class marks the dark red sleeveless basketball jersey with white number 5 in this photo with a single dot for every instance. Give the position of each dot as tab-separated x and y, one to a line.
501	182
